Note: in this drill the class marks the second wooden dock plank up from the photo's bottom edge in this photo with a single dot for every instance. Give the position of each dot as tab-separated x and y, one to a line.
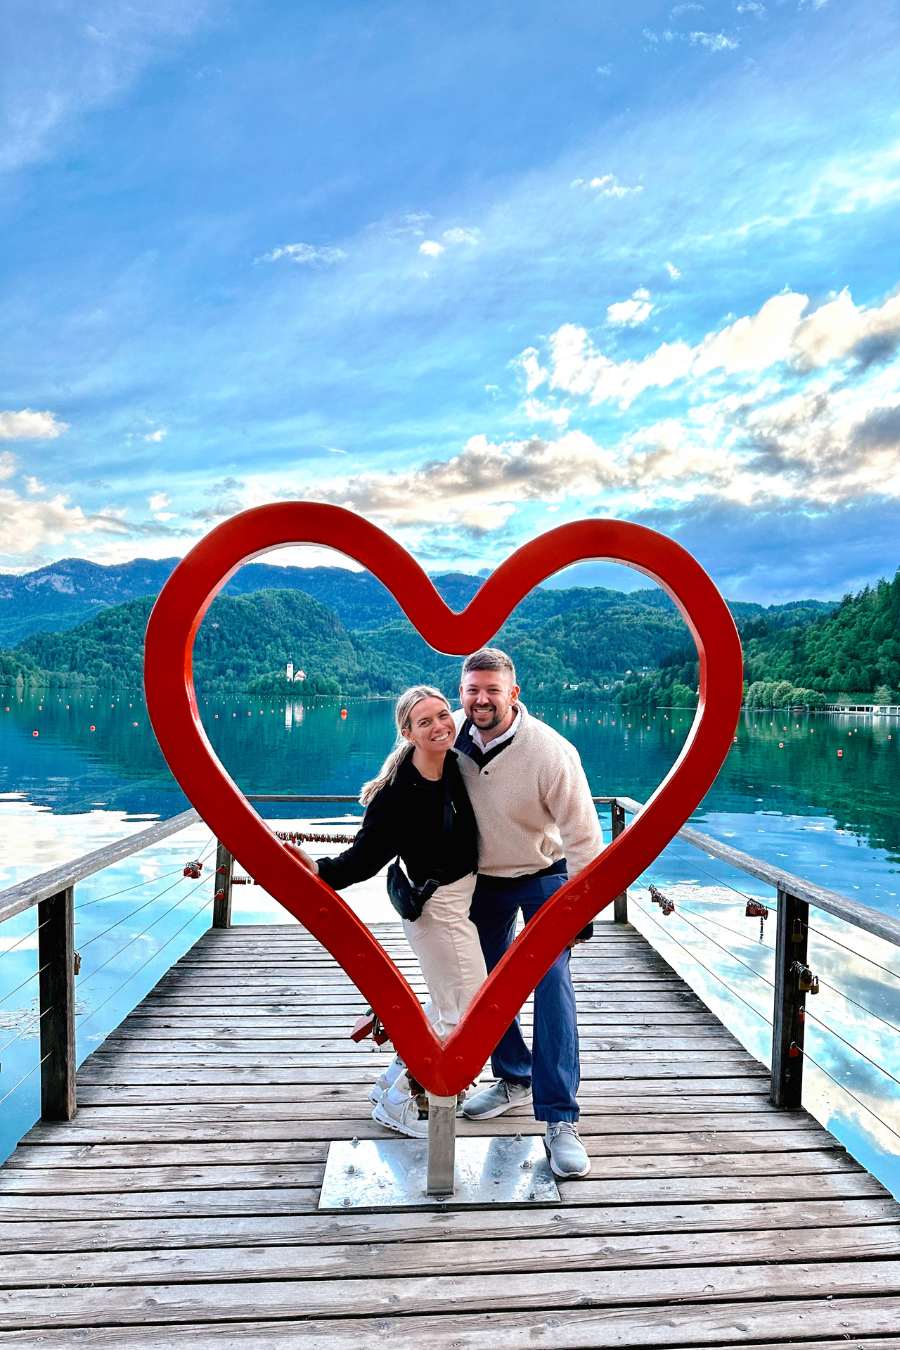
223	1302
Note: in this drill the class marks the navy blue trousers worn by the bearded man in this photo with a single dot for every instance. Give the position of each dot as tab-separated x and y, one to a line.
553	1070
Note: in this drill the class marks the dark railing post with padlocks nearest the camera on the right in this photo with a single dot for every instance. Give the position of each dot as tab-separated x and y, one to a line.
790	1002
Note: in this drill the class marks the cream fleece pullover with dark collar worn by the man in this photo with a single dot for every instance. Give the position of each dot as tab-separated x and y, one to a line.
532	804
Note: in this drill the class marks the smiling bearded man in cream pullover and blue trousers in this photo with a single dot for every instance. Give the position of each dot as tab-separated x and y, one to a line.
538	826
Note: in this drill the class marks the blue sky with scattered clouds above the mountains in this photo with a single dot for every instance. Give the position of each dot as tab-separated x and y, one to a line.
472	271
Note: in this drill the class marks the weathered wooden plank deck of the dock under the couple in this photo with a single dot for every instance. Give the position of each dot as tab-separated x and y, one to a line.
179	1209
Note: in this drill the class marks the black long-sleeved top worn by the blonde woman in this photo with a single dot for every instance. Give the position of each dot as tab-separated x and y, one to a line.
430	826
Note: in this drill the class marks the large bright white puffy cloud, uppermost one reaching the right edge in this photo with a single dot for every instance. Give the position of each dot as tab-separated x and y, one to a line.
781	331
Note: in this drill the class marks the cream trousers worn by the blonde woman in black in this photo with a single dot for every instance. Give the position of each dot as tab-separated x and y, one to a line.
450	954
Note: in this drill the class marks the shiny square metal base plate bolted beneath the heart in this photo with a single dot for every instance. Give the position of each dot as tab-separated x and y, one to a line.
391	1175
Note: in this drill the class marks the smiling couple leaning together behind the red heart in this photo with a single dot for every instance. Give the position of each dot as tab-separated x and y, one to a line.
490	812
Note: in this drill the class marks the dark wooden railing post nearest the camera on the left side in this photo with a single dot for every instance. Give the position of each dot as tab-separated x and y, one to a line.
57	1005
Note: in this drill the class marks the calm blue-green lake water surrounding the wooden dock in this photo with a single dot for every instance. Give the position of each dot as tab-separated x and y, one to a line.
94	774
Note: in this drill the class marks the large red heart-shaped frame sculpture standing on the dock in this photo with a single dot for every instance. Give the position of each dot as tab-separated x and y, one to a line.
172	704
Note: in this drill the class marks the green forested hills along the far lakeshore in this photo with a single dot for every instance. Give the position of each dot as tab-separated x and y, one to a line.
571	643
